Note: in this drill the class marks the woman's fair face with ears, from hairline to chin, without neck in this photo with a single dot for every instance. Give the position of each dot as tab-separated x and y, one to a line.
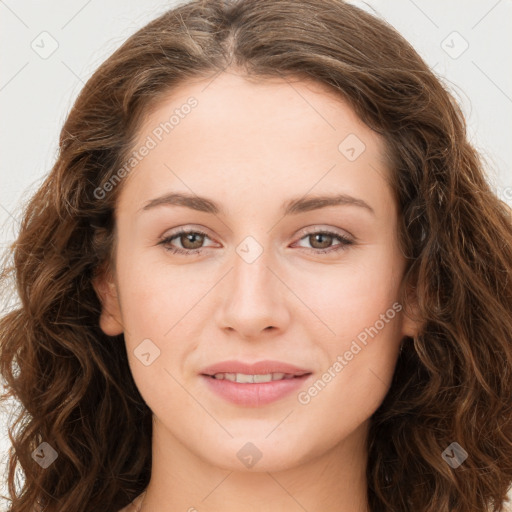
267	271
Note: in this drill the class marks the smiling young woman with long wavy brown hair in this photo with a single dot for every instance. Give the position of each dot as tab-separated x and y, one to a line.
266	271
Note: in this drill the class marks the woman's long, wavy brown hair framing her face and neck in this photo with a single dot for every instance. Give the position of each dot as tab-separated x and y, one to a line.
452	383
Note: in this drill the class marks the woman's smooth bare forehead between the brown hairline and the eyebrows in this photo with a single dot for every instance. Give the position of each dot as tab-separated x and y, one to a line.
242	134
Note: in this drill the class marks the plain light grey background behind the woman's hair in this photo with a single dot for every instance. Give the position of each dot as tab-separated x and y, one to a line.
37	90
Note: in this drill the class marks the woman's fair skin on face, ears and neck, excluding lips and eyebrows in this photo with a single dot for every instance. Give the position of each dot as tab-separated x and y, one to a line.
250	146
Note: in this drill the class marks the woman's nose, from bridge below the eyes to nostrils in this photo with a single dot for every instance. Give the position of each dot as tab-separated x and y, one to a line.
254	300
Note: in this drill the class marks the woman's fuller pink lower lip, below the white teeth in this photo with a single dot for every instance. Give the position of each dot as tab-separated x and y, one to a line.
254	394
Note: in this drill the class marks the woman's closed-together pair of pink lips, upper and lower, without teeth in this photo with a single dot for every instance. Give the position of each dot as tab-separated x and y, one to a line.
254	394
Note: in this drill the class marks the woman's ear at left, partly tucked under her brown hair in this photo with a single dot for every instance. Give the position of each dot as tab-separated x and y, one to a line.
106	290
